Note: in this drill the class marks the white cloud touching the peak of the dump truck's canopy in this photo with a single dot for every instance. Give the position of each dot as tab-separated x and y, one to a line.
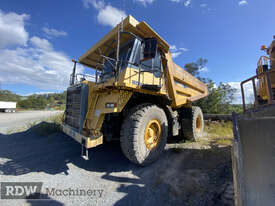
107	14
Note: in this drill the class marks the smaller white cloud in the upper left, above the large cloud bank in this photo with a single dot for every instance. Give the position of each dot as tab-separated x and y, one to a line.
12	31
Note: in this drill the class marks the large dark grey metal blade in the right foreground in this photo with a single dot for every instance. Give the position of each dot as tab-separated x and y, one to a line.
253	158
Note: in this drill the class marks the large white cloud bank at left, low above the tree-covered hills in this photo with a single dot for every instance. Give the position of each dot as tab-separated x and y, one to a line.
37	65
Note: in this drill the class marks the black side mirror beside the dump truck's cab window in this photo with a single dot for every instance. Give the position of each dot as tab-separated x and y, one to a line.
149	49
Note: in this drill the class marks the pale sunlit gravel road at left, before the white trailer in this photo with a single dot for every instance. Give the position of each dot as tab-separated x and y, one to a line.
10	121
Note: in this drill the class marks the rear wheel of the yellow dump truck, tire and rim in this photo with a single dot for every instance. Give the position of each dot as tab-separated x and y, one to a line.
193	124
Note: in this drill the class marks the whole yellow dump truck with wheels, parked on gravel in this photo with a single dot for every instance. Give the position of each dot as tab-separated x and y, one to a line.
138	95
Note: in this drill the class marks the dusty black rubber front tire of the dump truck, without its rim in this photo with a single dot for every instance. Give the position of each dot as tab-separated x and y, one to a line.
132	139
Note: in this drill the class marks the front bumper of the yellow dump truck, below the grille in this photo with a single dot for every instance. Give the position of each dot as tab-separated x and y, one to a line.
88	142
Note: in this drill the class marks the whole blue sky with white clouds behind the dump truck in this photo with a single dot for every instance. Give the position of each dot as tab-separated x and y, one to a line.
38	39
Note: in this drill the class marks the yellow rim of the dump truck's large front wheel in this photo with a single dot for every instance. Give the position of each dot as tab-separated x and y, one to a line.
152	134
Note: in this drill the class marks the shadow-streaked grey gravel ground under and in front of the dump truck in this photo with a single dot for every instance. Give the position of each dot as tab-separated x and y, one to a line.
191	175
